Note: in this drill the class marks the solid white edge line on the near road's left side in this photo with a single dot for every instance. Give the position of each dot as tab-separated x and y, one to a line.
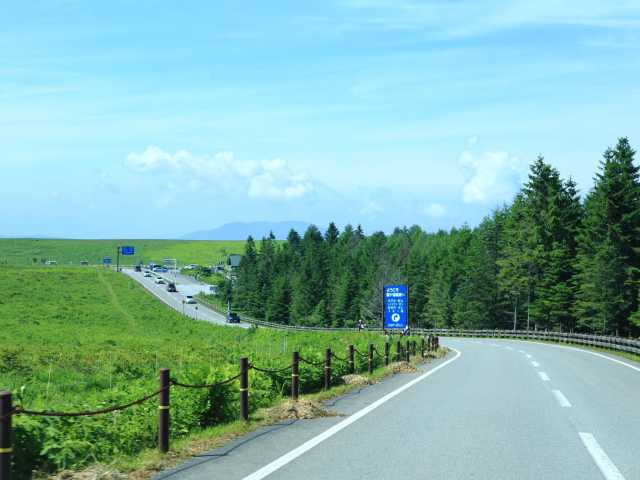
309	444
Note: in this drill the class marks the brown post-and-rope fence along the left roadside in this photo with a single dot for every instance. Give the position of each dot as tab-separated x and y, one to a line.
8	410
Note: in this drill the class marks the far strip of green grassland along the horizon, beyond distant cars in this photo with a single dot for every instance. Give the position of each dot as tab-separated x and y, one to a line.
23	251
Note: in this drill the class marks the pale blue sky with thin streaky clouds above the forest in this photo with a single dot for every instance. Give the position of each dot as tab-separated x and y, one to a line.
153	119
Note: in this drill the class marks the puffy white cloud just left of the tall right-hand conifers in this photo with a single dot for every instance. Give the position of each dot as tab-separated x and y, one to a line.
493	177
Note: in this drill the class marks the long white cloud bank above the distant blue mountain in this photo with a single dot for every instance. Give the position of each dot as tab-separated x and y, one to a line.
267	179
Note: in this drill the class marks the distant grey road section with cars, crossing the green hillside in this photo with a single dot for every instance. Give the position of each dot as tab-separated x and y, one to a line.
186	286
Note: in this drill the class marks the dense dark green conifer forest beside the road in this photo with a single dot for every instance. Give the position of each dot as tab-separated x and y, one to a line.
549	261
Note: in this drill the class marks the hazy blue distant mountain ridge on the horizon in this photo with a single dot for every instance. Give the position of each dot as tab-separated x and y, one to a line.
241	230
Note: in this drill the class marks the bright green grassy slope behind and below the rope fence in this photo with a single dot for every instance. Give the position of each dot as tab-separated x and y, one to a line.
74	339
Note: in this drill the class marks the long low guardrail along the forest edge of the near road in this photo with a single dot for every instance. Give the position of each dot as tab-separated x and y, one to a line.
622	344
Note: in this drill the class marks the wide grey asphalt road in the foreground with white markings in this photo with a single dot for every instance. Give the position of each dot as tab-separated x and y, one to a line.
500	410
